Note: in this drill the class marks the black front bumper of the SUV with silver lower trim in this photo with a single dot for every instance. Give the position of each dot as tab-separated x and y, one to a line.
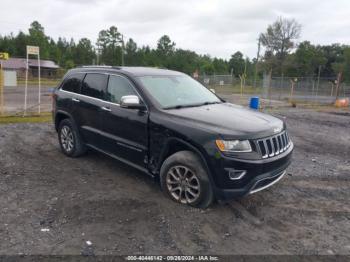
261	174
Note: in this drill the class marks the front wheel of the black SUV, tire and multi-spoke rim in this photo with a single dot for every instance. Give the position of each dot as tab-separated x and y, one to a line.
184	179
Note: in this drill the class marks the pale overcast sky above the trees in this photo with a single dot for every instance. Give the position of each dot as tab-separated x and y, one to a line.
215	27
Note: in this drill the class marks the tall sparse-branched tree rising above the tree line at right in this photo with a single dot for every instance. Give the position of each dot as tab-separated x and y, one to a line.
279	39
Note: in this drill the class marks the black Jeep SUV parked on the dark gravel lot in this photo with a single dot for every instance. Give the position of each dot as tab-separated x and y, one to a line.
170	126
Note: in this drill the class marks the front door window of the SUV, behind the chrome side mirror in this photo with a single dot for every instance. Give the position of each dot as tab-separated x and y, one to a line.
118	87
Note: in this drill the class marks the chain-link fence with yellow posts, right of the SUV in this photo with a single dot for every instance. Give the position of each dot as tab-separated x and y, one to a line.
296	89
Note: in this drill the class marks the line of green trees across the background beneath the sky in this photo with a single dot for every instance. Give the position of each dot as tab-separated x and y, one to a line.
281	56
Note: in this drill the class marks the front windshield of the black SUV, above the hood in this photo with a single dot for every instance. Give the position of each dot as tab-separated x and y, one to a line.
177	91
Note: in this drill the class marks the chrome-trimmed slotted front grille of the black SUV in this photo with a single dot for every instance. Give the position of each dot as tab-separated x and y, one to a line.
274	145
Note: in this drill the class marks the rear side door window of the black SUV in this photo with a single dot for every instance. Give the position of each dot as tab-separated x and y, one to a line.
94	85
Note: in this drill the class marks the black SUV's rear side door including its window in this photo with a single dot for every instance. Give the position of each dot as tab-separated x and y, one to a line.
89	105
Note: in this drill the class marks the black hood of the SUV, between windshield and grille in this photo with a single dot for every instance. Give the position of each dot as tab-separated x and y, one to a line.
230	121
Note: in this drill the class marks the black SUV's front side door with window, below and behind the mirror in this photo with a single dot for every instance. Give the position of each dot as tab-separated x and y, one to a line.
126	134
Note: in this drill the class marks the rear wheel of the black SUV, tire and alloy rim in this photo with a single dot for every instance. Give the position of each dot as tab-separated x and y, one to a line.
70	139
